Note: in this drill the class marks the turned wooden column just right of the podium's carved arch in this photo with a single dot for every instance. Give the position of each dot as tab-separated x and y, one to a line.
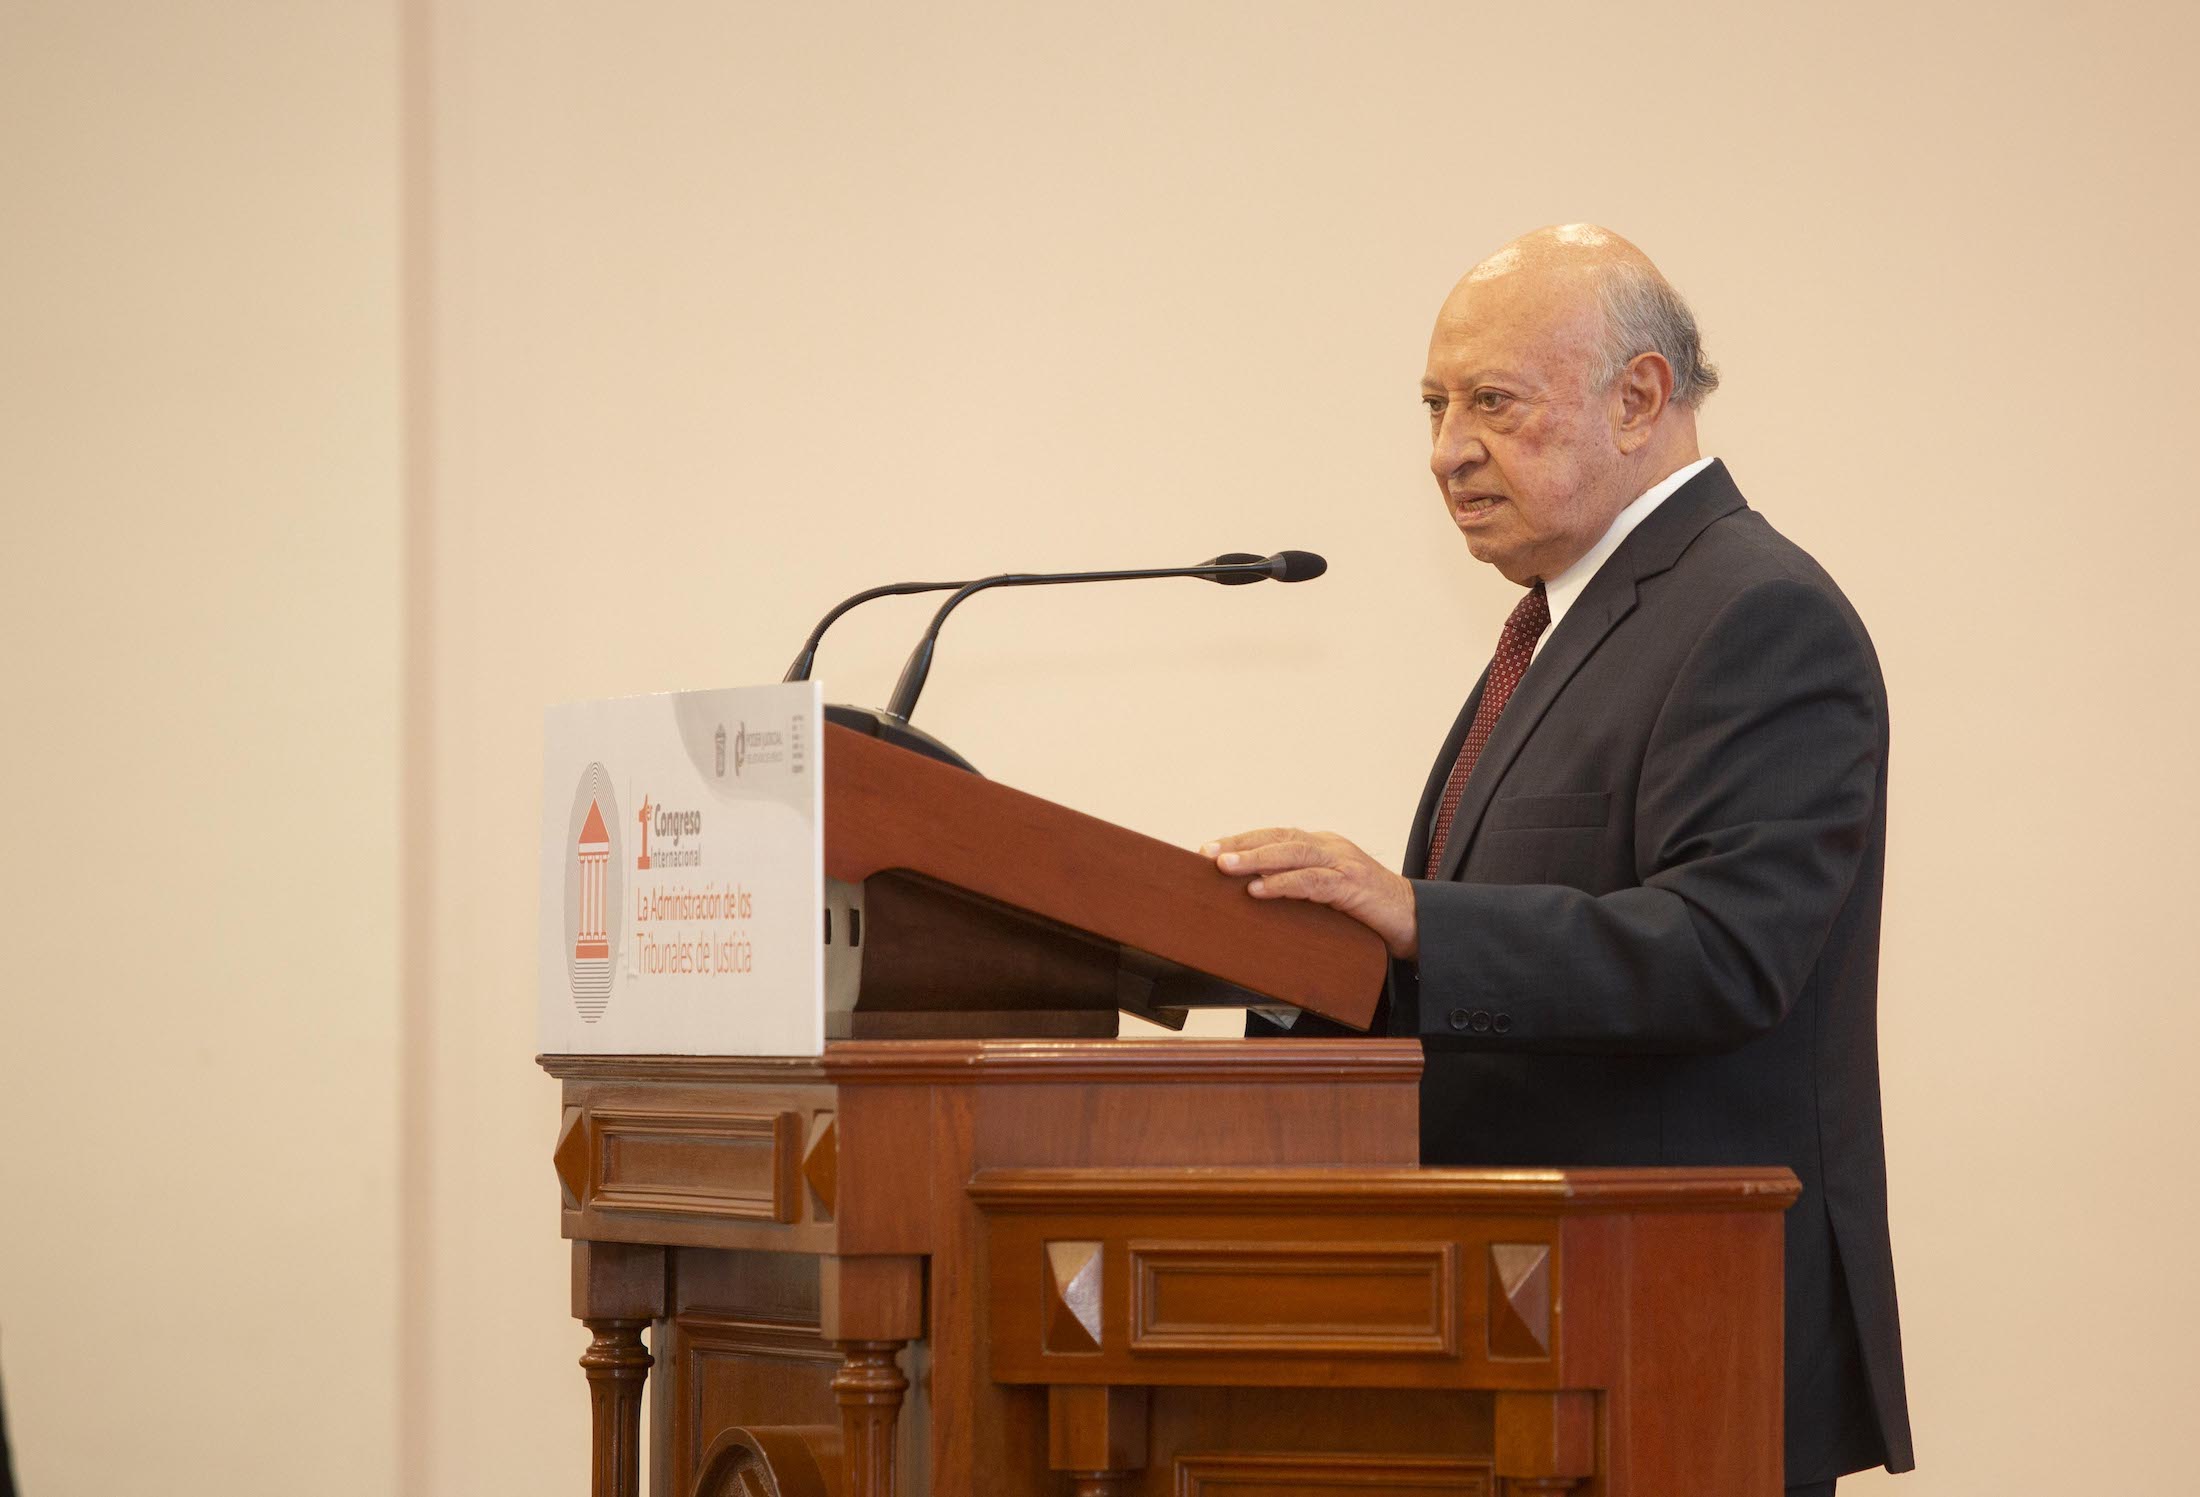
870	1309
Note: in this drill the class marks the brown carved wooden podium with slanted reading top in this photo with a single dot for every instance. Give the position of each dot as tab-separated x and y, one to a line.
958	1260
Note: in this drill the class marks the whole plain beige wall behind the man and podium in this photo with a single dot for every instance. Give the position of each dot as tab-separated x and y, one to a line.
727	312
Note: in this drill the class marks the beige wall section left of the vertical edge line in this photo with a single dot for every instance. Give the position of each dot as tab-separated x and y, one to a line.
201	618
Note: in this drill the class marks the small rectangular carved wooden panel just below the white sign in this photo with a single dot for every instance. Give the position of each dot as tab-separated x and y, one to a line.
696	1163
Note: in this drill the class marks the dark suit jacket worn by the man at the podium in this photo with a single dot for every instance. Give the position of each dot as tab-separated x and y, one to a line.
1655	935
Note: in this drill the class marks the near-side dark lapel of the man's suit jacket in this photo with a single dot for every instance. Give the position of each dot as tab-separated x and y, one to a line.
1609	598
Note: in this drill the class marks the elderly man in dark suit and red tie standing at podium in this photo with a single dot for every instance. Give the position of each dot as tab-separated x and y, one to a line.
1640	908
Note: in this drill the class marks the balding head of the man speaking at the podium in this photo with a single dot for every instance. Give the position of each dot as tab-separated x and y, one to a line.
1563	382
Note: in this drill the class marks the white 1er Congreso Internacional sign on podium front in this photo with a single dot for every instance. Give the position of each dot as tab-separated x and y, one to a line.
683	875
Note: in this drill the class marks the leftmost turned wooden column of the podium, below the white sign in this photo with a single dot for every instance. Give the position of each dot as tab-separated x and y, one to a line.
617	1291
